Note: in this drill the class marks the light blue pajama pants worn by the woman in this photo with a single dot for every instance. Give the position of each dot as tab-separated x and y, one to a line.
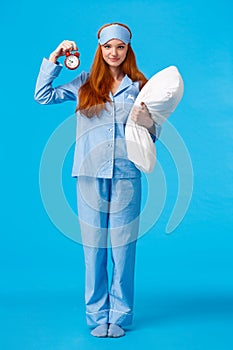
108	211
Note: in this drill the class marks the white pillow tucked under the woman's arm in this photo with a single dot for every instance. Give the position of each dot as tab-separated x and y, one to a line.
161	94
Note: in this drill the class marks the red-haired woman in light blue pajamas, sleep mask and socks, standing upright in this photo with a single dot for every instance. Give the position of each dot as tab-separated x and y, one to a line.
108	184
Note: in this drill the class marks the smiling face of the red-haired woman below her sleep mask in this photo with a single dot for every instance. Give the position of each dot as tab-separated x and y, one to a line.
114	52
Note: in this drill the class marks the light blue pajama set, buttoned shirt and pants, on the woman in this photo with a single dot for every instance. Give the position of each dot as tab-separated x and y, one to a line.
108	194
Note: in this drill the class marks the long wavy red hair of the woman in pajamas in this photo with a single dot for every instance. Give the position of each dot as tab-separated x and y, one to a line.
94	93
